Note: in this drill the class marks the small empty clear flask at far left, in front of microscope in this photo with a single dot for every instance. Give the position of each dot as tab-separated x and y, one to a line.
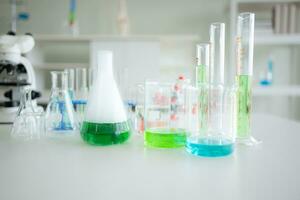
30	120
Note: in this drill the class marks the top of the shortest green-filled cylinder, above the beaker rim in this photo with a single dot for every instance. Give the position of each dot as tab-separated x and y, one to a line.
202	69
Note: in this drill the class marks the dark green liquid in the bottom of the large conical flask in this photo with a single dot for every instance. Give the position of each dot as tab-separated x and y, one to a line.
105	133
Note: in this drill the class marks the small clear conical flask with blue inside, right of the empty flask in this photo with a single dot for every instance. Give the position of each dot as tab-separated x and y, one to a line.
60	114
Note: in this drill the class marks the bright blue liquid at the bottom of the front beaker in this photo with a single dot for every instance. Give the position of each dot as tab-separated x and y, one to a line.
209	147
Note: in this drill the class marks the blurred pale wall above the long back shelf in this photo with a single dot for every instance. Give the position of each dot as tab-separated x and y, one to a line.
99	16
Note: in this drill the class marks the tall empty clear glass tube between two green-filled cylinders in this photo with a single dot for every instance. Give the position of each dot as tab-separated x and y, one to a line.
216	75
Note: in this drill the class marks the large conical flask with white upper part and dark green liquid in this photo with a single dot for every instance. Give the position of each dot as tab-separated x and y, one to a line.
105	120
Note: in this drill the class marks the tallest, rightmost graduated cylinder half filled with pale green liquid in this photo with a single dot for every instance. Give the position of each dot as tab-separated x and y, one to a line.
244	55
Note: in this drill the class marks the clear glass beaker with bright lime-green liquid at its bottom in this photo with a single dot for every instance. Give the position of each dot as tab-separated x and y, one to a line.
164	115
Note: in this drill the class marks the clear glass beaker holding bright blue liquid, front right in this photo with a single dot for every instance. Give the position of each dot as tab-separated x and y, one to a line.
214	141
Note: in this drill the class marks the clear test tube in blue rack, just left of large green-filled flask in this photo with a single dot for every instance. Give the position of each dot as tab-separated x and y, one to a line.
81	93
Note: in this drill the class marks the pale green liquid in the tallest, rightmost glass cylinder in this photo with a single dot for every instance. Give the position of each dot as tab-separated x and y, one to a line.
244	105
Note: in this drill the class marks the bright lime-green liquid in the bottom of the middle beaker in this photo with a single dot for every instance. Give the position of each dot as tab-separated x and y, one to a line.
165	138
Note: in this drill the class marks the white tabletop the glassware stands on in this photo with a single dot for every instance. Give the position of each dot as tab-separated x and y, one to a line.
66	168
